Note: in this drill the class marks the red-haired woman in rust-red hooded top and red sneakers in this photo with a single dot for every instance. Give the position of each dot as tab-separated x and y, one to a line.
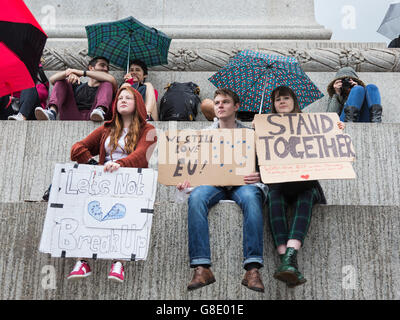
125	141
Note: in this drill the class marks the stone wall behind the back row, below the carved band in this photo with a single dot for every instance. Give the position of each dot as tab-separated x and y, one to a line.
387	83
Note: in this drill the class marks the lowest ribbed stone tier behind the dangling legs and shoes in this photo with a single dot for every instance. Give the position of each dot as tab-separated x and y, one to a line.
350	253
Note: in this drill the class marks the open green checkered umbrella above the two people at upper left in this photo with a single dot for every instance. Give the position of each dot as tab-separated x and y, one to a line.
127	39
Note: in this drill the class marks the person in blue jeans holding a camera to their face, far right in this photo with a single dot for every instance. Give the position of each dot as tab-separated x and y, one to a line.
352	100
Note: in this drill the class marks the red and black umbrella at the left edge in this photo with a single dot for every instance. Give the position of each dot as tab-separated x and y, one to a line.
21	46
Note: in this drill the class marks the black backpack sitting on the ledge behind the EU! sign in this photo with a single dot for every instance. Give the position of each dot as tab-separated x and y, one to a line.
180	102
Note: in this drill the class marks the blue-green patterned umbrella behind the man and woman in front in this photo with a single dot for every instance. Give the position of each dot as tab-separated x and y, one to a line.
253	76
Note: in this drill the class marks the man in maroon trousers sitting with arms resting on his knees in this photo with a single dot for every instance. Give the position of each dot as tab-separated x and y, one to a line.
73	100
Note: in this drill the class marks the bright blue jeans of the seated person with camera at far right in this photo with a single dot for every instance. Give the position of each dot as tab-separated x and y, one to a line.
362	98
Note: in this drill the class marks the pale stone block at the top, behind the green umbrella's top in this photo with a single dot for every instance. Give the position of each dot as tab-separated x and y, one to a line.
202	19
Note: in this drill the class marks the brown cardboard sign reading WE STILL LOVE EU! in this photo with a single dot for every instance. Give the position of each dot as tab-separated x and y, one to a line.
220	157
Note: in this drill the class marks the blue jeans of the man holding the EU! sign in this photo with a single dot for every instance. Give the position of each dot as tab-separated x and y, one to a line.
250	200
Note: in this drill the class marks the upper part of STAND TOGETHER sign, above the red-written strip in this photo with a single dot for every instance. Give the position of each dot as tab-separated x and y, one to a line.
301	138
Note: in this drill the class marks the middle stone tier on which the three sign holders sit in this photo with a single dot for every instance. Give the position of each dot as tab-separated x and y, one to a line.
30	150
